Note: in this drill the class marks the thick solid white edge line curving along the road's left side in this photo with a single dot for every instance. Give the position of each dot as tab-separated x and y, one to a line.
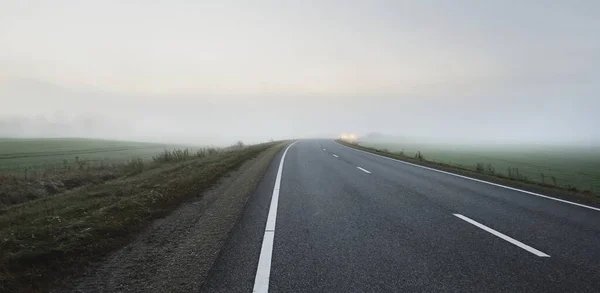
263	271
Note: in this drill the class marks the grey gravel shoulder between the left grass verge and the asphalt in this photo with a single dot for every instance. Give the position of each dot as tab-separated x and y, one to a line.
175	253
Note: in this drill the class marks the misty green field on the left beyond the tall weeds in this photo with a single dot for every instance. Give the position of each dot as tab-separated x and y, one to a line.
16	155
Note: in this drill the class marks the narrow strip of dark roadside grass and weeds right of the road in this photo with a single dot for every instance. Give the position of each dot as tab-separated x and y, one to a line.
512	176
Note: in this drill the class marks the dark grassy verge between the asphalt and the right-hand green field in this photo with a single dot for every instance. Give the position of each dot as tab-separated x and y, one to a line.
487	173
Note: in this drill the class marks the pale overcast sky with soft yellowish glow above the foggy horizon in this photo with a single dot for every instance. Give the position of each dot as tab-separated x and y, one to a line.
207	70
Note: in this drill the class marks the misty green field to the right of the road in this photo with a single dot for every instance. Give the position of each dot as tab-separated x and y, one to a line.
577	167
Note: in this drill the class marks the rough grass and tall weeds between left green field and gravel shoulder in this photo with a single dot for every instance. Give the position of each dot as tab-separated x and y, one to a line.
57	221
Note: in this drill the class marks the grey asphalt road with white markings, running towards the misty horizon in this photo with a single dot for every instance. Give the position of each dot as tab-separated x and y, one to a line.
349	221
